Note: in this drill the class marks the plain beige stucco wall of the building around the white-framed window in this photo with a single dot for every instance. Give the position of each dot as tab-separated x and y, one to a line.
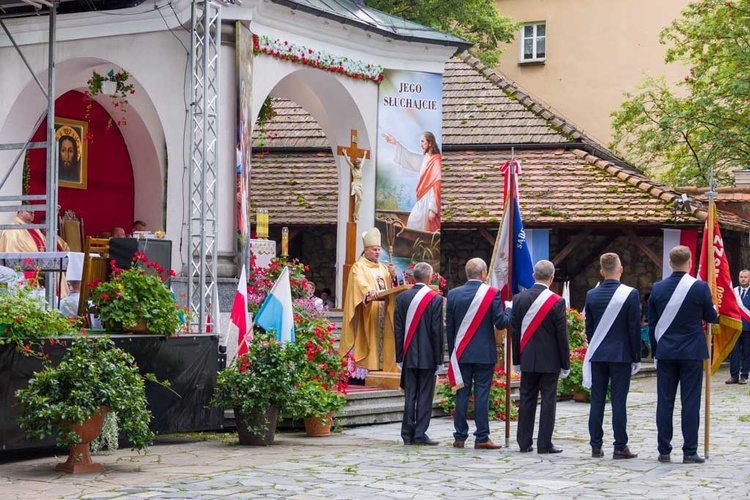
596	51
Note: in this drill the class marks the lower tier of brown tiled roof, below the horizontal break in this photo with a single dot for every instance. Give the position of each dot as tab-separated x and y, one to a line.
558	187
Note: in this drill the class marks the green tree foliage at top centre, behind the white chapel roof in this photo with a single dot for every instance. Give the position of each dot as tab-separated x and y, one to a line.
477	21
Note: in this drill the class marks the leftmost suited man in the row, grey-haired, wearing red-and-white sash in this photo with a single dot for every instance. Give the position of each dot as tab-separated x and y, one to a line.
418	325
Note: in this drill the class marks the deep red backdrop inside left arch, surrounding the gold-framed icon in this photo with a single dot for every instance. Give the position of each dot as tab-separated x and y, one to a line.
107	201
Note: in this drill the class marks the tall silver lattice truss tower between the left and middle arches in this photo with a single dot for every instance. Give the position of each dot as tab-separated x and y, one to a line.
202	221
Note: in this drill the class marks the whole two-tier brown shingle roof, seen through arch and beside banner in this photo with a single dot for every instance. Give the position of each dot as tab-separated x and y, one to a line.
568	178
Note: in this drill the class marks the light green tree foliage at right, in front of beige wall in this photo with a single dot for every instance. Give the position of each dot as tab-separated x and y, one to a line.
702	124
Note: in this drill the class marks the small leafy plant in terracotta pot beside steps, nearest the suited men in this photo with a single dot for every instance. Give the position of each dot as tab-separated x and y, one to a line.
315	403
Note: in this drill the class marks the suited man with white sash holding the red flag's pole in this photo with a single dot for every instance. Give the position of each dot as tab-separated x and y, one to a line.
676	310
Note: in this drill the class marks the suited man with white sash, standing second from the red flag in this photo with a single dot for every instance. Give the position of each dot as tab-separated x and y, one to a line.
613	331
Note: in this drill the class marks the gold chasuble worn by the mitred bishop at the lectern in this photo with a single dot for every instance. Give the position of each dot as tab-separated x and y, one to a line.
365	325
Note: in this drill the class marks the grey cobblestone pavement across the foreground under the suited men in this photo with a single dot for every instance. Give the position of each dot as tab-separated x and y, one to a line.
369	462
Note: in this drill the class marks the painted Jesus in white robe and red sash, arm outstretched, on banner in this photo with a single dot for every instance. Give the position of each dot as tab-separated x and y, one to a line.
425	215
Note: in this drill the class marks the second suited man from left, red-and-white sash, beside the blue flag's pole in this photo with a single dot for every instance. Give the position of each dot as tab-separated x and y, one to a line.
474	310
